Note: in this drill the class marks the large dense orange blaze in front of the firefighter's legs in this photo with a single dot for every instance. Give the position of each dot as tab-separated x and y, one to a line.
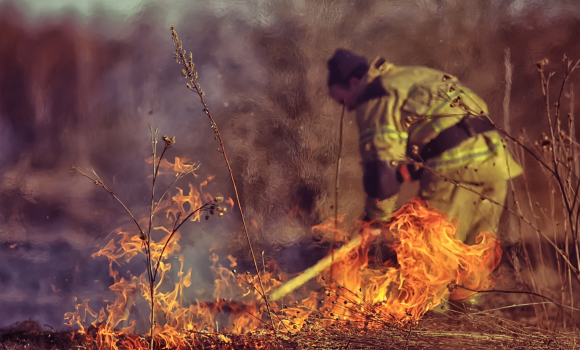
429	258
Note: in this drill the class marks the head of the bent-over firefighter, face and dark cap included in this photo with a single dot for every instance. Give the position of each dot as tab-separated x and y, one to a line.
345	70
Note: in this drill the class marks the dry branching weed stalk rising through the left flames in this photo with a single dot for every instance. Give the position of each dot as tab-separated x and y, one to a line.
145	235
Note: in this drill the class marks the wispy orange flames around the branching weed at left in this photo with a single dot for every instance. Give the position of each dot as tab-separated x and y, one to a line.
112	326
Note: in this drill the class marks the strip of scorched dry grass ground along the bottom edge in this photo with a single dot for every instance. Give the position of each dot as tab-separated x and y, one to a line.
435	331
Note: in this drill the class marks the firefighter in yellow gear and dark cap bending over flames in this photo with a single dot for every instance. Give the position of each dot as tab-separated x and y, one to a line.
420	124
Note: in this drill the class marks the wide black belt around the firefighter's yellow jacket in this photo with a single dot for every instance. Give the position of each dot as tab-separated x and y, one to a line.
452	137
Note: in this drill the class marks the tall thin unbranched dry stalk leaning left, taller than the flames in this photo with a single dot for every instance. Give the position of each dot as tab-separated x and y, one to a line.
191	75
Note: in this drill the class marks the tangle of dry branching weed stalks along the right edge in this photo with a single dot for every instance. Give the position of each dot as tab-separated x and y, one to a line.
559	164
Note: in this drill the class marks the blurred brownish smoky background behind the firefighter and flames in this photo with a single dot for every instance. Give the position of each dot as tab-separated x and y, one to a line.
81	81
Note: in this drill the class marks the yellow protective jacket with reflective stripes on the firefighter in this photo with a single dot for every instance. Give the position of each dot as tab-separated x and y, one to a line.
401	109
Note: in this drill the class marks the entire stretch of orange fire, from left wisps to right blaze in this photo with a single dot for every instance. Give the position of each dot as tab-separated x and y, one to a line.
360	291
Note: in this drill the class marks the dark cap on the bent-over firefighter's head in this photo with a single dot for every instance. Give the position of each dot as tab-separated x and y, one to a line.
345	65
